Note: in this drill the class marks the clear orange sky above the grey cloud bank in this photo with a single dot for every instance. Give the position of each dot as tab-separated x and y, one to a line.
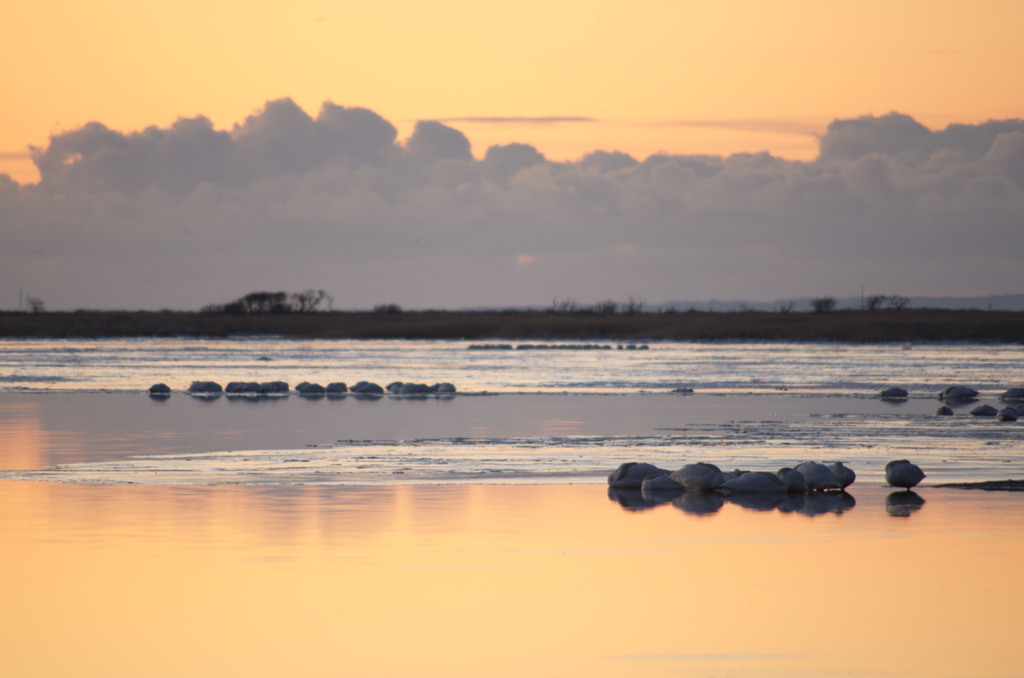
677	77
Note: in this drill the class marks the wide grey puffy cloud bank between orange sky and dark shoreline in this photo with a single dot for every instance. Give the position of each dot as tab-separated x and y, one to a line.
189	216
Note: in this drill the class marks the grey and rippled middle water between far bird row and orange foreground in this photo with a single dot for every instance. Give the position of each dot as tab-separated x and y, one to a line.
131	439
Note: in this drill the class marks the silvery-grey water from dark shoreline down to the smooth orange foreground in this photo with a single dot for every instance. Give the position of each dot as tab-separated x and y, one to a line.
522	416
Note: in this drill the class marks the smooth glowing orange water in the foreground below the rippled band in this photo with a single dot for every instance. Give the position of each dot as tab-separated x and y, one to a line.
505	581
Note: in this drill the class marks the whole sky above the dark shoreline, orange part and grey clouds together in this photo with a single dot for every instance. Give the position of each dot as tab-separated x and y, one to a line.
454	155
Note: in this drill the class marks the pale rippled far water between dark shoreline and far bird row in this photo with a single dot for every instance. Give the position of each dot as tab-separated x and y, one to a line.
815	369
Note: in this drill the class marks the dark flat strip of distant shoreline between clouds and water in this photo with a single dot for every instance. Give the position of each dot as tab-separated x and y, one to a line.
847	326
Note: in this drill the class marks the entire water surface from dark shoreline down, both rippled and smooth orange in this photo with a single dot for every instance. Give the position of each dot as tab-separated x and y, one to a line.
475	535
